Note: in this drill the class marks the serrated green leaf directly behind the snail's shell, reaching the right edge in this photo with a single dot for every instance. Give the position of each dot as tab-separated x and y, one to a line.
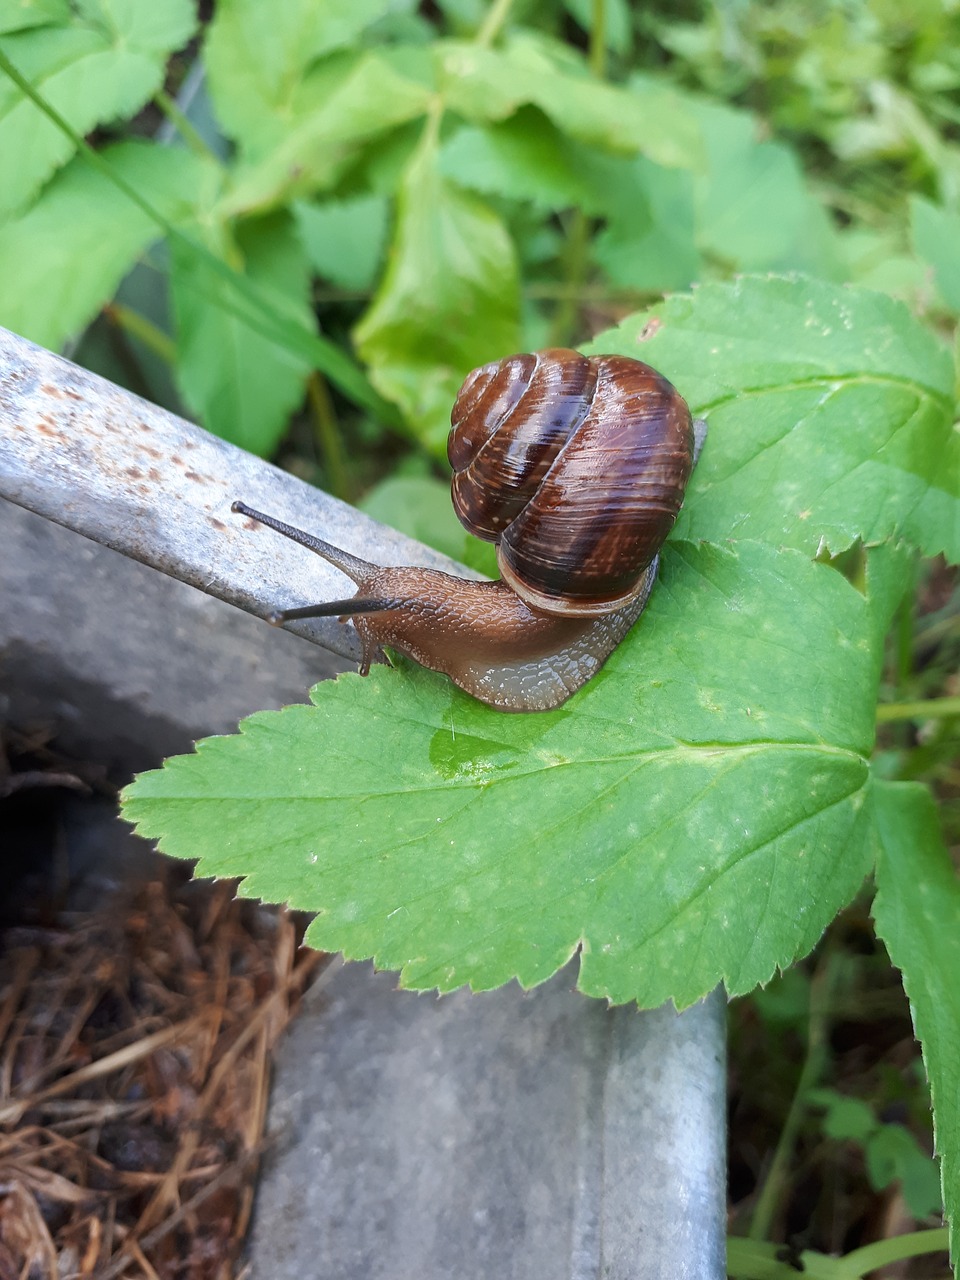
831	414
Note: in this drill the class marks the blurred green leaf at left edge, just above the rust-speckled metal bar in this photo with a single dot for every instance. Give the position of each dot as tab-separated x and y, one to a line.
63	259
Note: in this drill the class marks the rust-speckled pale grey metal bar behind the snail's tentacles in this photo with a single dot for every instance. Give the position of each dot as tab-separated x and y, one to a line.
124	473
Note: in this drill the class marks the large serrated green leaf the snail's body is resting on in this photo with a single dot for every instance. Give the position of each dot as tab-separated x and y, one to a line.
698	813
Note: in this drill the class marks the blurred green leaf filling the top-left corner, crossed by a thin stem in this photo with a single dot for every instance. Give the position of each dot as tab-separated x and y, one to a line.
100	66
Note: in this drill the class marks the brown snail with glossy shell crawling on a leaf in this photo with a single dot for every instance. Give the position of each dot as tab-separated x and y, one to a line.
575	467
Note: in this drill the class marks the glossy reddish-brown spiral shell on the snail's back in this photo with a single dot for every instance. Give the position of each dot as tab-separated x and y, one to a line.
577	468
